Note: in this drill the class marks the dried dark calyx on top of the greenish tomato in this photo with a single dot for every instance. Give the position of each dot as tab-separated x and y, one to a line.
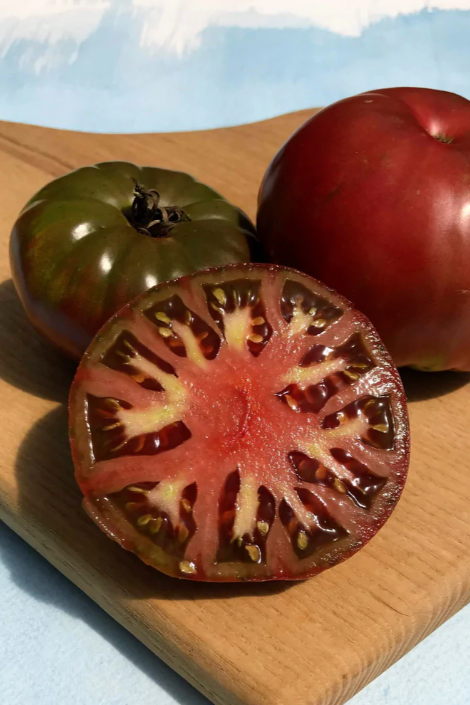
150	218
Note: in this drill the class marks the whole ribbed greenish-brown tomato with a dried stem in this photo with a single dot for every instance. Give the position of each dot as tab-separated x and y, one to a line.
92	240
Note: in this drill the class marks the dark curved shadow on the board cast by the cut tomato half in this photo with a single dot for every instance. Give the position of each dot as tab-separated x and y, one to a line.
49	496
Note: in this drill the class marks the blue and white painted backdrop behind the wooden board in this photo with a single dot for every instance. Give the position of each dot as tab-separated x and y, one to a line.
149	65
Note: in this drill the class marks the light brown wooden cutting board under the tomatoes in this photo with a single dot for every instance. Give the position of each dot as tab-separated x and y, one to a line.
313	643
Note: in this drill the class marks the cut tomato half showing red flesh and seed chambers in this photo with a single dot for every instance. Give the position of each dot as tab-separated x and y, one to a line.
242	423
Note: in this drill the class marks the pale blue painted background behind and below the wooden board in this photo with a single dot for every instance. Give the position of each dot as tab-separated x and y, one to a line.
56	646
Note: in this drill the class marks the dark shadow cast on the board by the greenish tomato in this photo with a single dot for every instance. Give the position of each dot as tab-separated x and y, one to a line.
26	361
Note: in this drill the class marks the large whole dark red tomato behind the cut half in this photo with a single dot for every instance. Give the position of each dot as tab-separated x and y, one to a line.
372	196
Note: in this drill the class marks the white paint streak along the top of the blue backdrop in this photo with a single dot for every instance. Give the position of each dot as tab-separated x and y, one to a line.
176	26
